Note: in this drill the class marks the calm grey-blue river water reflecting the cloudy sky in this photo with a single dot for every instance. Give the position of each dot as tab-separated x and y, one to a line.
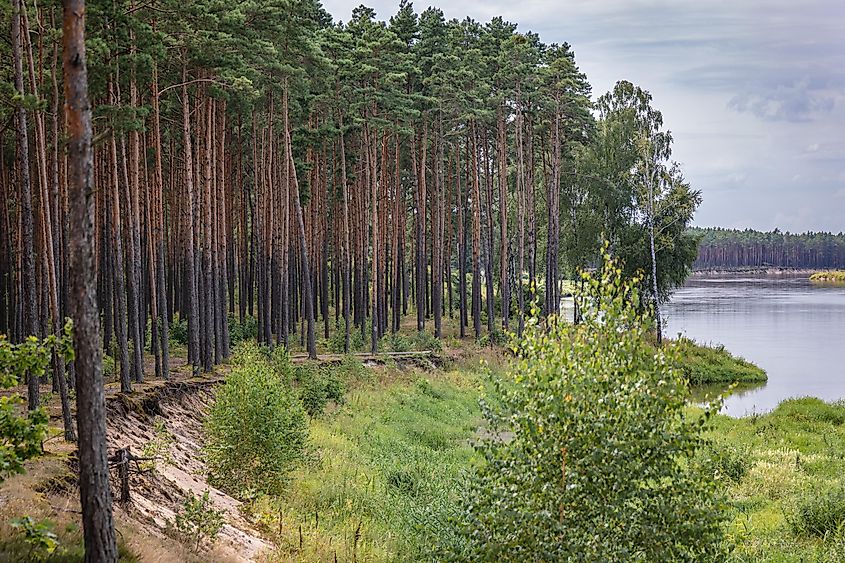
793	329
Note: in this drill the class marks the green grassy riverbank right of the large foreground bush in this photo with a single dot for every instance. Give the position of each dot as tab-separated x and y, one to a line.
783	473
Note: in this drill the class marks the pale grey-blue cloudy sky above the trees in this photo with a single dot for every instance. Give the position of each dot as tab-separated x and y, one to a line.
752	90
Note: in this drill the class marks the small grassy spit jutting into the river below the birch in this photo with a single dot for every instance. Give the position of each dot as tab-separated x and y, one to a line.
704	365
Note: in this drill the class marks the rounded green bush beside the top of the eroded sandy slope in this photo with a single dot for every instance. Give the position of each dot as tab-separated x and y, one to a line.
256	431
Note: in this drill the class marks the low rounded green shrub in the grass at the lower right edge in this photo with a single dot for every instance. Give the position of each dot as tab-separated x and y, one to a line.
818	513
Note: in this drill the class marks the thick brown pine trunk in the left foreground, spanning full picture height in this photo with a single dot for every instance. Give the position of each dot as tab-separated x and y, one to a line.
94	491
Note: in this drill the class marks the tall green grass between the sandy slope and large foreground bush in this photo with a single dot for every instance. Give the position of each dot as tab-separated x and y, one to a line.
381	482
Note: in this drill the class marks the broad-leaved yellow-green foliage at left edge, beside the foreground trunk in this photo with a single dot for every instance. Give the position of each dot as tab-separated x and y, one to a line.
21	435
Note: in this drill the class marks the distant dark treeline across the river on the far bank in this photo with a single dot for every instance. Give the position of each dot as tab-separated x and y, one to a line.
733	248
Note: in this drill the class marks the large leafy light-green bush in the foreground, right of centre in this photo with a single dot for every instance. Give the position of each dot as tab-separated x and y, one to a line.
593	453
